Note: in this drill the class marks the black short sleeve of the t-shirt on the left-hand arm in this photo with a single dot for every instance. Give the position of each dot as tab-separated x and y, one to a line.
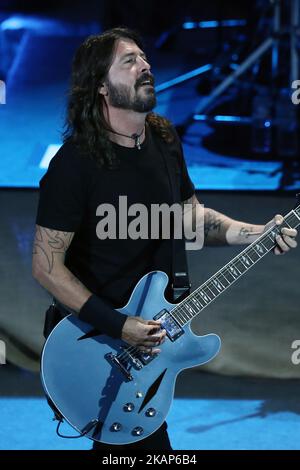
62	193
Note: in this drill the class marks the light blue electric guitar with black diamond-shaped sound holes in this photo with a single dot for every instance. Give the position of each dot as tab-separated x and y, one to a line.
110	391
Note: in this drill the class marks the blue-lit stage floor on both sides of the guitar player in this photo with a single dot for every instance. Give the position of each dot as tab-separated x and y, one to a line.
210	412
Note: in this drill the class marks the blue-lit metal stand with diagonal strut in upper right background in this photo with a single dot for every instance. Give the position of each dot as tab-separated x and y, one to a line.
274	117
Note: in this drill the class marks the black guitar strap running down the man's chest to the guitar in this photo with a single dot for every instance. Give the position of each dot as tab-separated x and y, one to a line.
180	283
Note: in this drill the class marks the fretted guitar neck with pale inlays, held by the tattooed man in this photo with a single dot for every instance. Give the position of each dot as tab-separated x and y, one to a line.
190	307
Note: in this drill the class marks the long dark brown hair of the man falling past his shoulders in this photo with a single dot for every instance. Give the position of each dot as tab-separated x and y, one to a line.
85	124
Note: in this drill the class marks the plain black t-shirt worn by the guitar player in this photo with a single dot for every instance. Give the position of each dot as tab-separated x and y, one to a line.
74	187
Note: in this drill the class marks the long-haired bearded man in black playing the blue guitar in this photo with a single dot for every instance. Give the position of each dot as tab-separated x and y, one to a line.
115	145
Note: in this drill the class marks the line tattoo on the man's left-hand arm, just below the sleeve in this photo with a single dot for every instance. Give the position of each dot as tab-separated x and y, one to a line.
51	244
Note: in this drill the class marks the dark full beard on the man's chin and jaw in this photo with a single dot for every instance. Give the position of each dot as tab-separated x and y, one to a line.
120	97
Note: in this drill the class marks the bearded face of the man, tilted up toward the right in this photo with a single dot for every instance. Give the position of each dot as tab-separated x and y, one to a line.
130	82
